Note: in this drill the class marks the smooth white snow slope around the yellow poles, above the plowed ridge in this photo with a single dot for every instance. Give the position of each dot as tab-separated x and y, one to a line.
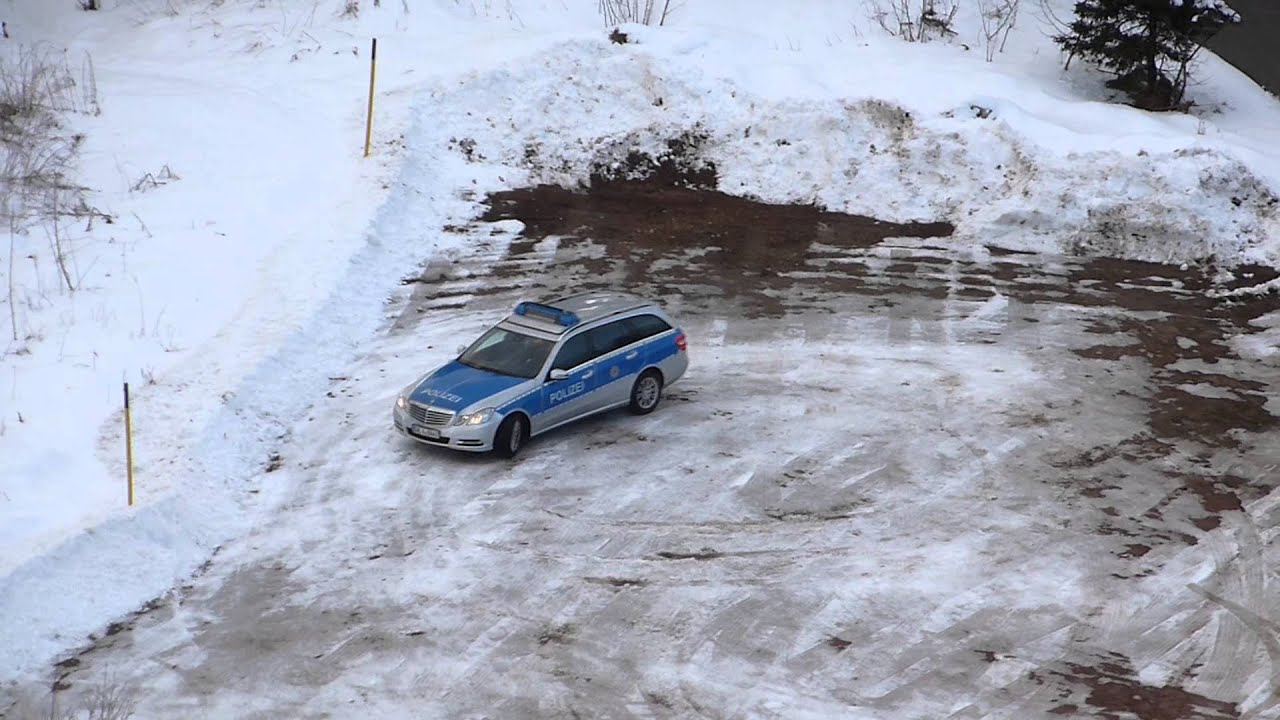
207	270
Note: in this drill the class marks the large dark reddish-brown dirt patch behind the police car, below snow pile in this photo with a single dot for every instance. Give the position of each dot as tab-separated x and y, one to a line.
671	236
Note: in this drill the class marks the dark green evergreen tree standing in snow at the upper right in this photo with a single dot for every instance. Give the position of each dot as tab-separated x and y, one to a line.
1148	44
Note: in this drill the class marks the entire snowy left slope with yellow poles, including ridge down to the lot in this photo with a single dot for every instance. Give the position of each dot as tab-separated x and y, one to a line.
262	272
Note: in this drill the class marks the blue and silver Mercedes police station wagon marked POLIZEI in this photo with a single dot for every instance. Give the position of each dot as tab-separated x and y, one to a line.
545	366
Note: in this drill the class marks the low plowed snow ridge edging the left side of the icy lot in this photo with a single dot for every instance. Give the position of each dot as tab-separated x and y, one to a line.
60	598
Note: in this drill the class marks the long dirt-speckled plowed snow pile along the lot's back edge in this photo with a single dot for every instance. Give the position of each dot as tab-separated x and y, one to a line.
1002	175
